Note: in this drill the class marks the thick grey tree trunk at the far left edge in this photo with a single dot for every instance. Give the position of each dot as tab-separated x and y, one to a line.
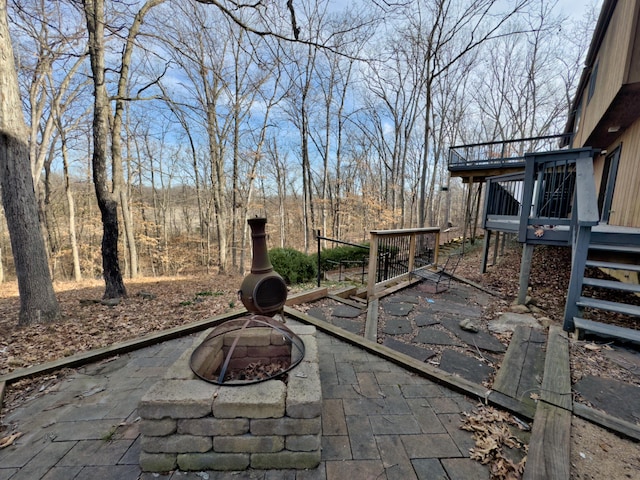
38	302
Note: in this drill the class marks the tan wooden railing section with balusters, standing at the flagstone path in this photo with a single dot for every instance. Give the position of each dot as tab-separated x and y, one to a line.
396	253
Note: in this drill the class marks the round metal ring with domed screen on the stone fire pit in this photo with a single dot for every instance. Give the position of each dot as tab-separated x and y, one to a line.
295	341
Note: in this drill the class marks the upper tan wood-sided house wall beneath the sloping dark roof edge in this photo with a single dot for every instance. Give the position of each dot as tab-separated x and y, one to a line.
613	67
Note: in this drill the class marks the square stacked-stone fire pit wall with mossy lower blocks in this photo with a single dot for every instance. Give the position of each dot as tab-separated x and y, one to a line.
189	424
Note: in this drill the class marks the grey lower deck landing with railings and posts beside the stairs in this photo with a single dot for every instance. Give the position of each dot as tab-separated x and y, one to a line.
555	194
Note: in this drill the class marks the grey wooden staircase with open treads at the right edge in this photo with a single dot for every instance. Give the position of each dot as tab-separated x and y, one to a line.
615	257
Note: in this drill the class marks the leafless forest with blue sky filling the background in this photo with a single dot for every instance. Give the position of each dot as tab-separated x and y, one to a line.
153	129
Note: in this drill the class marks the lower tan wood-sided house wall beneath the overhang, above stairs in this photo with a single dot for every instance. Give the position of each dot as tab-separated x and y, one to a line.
625	207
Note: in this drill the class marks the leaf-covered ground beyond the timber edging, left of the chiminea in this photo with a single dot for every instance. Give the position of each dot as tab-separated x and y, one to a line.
153	304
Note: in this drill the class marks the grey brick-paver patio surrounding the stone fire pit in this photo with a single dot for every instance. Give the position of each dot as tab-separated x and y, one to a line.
379	421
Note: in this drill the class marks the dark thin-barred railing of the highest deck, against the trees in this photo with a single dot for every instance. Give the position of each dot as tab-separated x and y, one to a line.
503	154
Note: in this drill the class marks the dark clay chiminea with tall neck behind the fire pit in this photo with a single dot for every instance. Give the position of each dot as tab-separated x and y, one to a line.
263	291
